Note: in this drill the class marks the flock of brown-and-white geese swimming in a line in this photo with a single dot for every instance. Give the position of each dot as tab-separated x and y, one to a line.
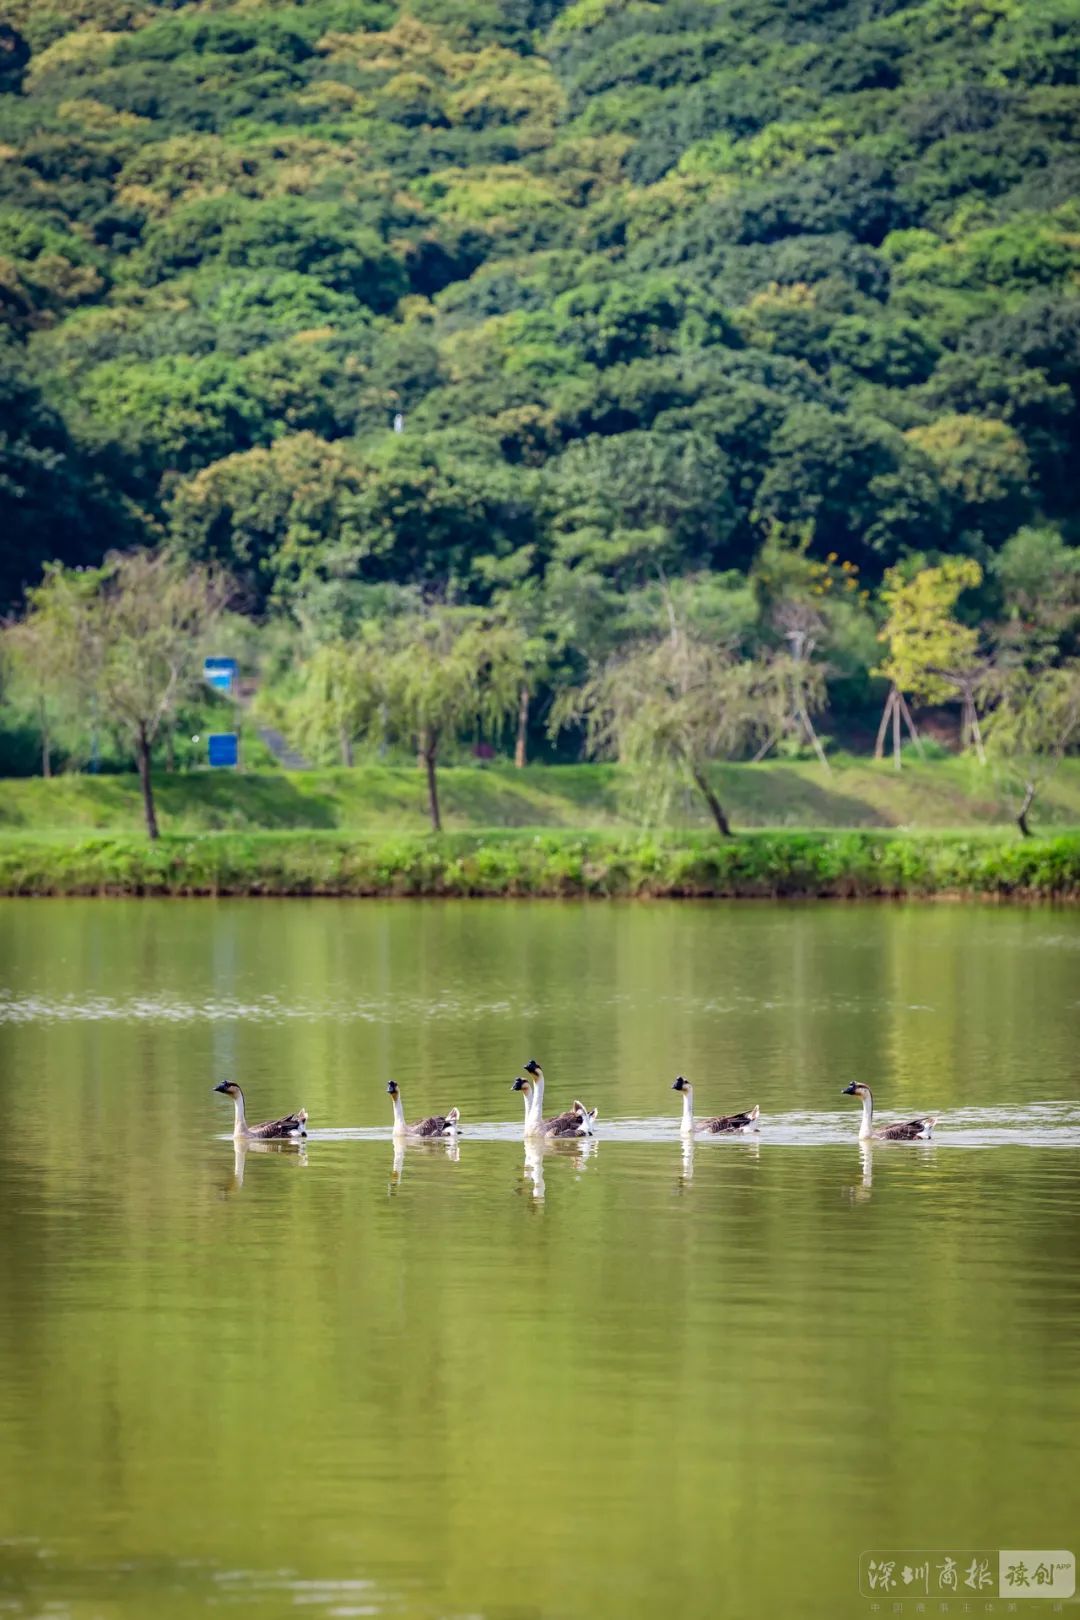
577	1122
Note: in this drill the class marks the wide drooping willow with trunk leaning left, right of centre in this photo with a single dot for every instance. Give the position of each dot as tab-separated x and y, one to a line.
668	709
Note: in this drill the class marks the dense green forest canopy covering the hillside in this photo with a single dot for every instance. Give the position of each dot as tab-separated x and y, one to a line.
642	279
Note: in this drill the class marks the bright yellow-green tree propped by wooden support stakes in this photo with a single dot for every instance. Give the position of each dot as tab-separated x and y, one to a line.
930	654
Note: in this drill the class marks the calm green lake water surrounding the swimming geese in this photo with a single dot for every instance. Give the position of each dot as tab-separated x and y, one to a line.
602	1383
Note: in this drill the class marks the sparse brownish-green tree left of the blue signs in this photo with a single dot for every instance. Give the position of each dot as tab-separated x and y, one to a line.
125	644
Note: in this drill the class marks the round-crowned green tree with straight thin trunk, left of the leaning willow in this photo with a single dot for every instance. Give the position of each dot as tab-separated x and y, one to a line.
449	670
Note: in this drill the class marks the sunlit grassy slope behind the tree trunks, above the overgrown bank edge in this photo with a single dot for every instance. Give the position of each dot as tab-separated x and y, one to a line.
391	799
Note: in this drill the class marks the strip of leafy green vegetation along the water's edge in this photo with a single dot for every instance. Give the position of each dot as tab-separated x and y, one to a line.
545	864
